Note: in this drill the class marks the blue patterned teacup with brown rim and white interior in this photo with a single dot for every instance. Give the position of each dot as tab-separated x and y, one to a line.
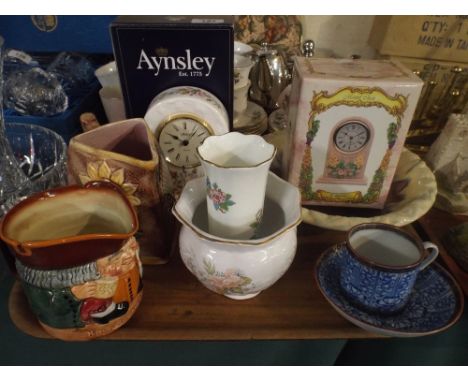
381	265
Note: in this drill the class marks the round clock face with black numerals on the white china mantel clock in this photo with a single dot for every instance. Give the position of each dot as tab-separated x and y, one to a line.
179	140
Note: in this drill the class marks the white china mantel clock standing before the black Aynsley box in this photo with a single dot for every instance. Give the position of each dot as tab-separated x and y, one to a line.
181	118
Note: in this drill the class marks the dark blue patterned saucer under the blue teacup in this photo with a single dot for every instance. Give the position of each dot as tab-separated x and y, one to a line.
436	302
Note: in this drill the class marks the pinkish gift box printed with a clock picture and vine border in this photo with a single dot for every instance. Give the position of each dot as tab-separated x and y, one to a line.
349	120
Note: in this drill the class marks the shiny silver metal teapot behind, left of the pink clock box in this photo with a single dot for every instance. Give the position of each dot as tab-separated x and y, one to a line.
269	76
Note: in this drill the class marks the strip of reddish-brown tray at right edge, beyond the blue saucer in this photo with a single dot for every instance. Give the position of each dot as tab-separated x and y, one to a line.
435	224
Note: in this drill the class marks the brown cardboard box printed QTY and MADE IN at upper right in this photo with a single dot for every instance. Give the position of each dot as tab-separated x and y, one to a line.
434	37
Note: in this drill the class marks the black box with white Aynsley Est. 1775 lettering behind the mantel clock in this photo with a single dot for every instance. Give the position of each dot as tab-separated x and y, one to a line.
154	53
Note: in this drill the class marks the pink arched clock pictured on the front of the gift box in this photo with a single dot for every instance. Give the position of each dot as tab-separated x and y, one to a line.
346	158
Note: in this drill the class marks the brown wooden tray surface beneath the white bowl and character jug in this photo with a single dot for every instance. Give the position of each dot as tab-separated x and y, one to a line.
176	306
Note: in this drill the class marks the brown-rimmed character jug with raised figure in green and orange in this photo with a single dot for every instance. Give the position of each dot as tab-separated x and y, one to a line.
77	258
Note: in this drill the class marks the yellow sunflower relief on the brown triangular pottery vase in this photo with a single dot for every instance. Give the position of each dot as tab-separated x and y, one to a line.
102	171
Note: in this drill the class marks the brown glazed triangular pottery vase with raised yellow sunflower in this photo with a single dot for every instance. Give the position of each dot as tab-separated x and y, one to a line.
124	153
